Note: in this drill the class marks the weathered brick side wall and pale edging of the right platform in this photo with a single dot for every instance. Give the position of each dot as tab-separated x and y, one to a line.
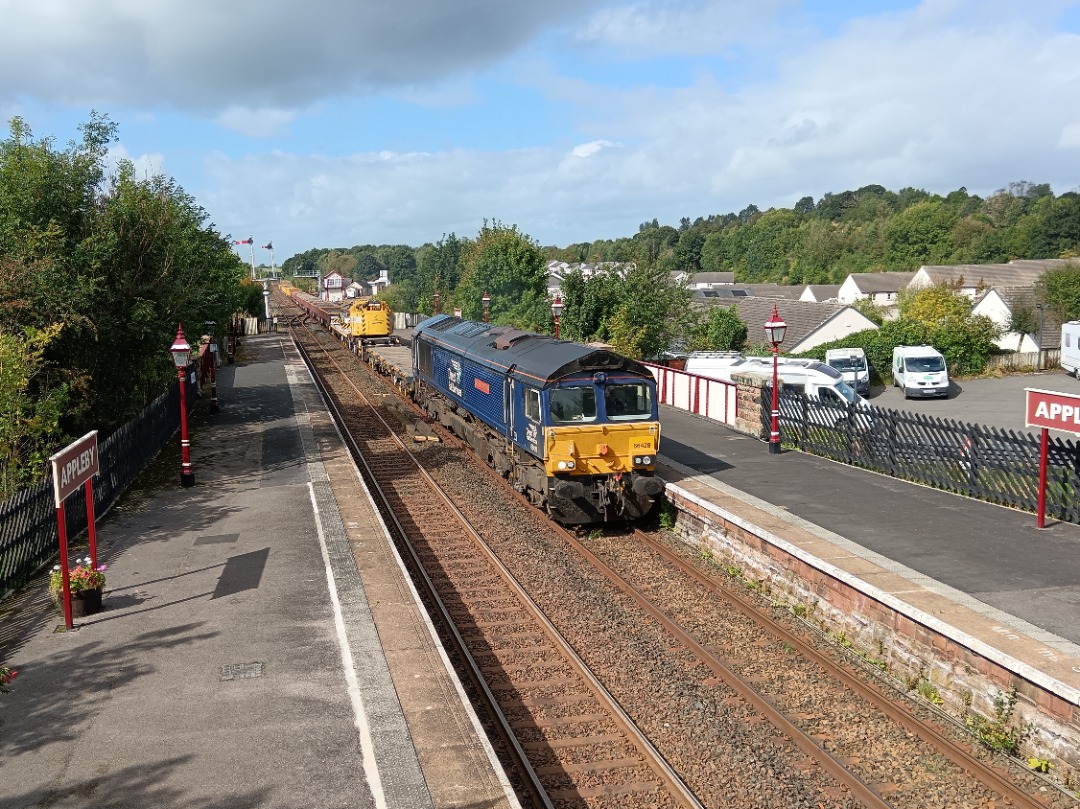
924	636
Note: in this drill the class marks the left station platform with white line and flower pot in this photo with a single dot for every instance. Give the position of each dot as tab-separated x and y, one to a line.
260	644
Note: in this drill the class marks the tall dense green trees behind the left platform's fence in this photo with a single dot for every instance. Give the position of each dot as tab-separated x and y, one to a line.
98	267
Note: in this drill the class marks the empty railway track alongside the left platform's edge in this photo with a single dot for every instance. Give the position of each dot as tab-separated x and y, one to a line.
570	744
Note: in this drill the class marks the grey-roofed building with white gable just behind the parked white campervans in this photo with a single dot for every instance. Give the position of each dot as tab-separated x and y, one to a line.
809	323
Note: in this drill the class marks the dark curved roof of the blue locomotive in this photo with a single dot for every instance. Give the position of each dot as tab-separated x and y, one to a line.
528	356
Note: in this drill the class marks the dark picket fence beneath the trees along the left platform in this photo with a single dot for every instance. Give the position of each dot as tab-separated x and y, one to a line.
30	536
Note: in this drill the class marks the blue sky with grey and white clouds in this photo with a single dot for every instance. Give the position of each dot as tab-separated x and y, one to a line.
333	124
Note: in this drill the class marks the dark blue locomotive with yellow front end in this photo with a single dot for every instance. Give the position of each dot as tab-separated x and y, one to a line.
573	427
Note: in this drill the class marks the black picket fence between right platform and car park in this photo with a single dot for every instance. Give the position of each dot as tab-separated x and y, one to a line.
984	463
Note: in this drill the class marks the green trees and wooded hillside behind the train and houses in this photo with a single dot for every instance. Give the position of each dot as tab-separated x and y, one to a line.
637	307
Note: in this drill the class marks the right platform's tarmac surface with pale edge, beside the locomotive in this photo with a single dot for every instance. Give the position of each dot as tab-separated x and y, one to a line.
982	575
